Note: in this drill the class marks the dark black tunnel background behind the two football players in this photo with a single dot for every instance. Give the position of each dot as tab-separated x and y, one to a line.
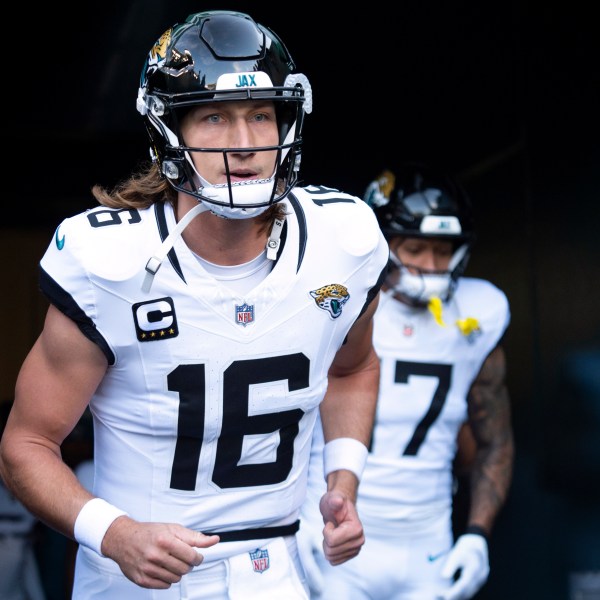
505	94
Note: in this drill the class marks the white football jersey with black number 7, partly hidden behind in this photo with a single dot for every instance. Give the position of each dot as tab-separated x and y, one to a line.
426	372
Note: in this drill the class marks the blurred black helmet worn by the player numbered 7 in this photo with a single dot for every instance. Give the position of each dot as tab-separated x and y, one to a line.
420	201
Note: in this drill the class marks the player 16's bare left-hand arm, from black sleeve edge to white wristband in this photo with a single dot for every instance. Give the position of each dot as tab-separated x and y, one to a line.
53	388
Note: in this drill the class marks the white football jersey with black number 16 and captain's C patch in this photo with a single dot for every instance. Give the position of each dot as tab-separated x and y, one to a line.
206	412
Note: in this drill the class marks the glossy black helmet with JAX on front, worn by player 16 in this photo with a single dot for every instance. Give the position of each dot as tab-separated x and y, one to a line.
217	56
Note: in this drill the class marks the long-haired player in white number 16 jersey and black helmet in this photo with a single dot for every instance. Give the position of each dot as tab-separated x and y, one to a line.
205	312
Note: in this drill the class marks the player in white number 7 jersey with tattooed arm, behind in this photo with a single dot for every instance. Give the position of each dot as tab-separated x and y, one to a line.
439	337
